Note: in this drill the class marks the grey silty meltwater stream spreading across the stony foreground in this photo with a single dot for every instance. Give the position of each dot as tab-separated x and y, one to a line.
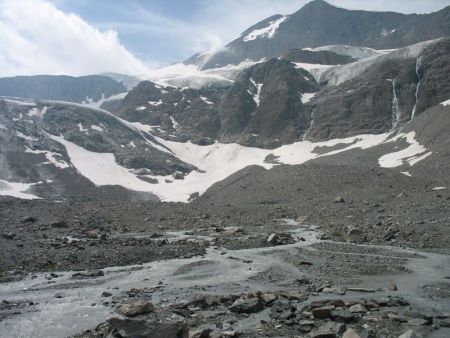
218	271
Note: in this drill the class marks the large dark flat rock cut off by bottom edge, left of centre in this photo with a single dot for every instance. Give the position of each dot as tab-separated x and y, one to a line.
127	328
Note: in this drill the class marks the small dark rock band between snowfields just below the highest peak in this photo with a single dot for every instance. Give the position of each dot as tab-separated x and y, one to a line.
318	57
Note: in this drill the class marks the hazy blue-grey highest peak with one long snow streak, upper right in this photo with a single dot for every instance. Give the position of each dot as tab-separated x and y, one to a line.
319	24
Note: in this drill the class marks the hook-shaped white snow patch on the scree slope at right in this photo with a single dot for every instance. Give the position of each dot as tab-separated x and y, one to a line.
411	155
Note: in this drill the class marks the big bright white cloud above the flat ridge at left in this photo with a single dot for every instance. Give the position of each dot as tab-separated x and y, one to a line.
37	38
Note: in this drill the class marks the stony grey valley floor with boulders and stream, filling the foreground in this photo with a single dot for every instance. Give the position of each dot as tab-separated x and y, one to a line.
219	270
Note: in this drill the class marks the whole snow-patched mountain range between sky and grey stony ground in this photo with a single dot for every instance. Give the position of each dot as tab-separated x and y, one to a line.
319	83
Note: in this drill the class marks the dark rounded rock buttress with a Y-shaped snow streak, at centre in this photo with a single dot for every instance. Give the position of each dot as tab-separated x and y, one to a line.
264	106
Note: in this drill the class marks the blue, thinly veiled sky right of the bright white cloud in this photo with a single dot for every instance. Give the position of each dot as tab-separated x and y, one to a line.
165	31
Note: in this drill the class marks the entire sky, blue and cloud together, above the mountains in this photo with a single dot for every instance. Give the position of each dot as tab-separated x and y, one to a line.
79	37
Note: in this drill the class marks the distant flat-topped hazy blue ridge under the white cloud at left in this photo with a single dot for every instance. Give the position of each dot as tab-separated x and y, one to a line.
62	88
